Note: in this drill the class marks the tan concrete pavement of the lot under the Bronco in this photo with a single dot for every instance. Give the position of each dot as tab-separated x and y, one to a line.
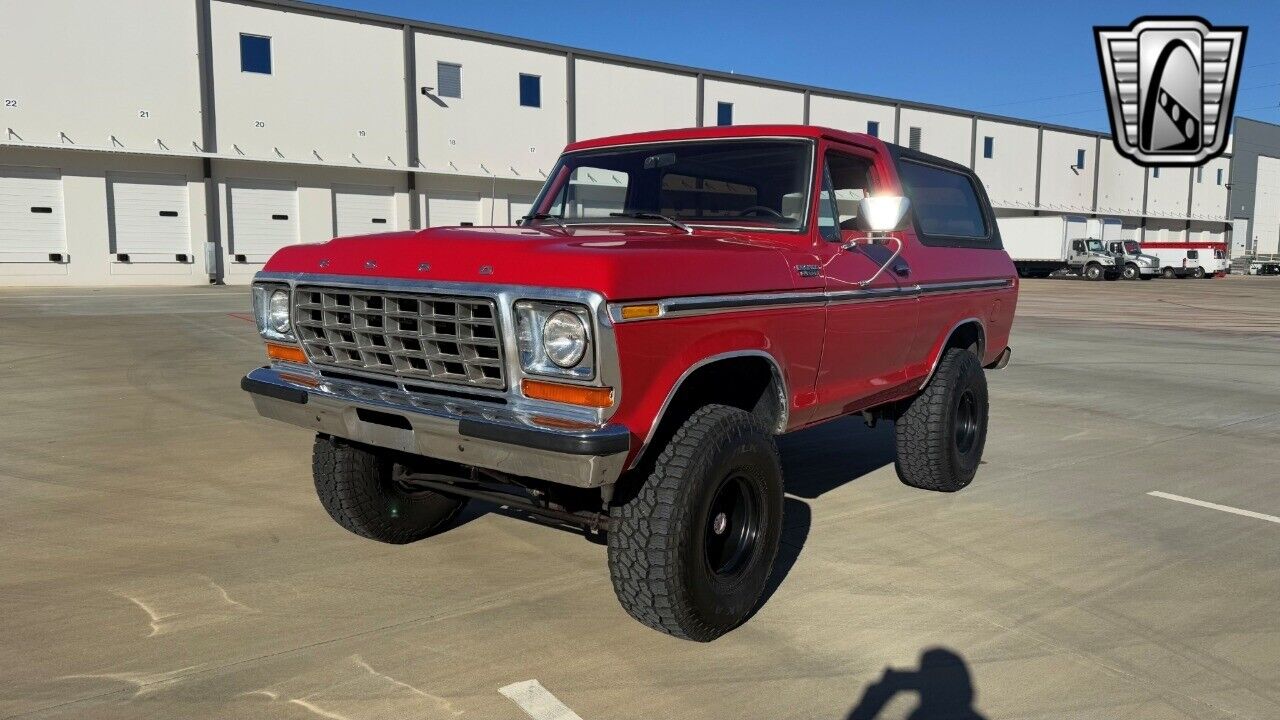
163	555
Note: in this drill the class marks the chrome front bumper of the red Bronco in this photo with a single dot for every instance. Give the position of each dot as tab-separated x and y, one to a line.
470	432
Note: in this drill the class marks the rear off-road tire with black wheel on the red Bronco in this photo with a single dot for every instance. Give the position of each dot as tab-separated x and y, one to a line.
930	450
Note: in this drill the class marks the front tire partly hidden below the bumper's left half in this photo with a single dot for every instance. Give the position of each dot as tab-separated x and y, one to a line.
358	489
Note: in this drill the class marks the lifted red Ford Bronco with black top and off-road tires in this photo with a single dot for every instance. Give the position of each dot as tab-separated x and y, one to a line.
623	361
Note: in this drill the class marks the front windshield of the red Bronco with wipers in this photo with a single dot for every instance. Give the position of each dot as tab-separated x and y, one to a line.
758	184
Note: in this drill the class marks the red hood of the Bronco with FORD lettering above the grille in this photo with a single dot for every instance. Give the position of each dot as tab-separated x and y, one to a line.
629	263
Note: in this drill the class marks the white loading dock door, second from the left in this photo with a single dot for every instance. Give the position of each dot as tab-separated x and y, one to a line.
150	217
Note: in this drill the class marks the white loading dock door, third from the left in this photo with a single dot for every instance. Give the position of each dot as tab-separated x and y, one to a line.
264	218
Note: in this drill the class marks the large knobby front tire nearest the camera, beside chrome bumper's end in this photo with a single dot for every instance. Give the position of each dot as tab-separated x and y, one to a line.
659	559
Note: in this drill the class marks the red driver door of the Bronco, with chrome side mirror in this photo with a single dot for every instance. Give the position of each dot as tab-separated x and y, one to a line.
870	335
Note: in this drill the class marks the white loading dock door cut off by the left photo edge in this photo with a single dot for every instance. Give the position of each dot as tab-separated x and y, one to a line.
31	216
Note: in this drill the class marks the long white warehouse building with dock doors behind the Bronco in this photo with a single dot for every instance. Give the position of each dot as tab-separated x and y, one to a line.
184	142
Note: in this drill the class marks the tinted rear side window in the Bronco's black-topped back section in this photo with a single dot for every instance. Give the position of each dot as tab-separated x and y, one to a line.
944	203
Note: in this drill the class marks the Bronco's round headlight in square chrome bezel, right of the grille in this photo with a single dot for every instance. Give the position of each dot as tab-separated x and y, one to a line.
555	340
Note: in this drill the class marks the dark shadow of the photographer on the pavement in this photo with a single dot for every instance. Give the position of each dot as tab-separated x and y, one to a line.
943	683
